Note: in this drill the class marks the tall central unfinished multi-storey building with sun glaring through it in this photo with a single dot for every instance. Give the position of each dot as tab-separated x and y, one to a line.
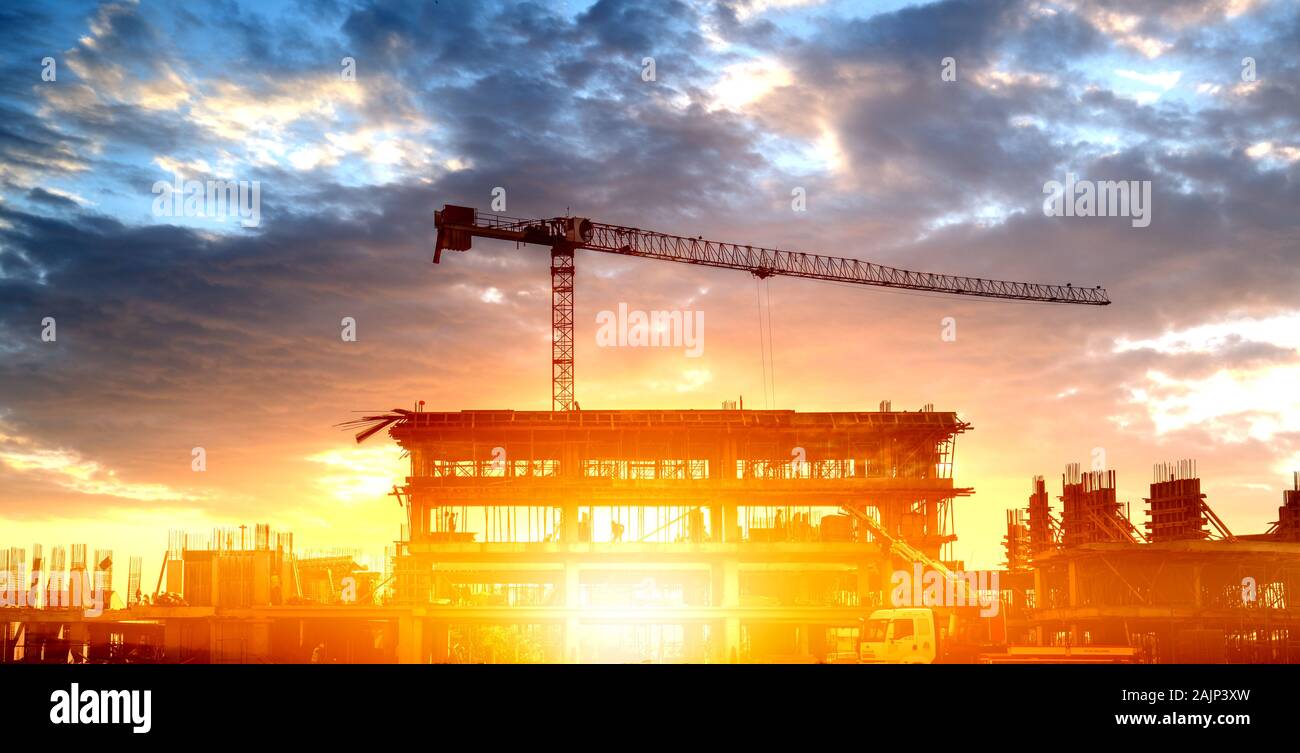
617	536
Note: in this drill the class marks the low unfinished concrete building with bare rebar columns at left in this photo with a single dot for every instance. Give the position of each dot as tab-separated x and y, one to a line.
231	596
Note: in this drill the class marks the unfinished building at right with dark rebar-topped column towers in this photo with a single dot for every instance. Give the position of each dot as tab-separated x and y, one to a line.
1186	590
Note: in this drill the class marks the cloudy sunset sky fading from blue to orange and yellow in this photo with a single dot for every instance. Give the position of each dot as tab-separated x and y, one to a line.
188	332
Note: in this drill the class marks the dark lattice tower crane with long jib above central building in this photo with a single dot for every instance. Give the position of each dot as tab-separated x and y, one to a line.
458	227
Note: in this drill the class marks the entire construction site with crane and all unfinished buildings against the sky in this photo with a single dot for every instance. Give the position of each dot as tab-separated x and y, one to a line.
722	536
